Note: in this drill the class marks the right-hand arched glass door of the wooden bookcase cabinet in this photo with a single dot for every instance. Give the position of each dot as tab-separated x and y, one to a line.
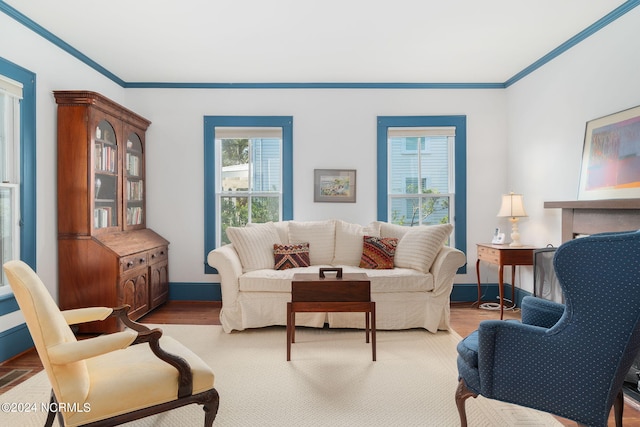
134	182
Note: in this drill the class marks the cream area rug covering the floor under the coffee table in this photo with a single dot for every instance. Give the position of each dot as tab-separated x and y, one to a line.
330	381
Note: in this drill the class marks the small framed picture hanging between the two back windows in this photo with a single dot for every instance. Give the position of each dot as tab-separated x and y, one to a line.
334	185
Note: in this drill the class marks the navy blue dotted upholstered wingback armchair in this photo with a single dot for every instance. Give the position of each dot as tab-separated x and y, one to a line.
569	360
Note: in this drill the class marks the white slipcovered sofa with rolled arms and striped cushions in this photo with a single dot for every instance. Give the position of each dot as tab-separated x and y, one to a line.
413	294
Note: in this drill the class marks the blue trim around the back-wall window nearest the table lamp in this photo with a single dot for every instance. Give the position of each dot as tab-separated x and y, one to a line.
460	154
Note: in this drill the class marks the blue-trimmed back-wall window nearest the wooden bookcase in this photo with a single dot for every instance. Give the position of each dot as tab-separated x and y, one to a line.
248	170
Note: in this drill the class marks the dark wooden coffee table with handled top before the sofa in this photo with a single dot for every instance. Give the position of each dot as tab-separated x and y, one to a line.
335	292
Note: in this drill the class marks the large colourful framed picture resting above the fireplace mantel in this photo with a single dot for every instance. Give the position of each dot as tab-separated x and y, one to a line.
611	157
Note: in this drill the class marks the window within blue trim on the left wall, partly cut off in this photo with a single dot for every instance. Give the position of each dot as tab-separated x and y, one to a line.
10	96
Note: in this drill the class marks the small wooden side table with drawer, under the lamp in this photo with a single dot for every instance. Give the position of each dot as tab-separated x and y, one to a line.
502	255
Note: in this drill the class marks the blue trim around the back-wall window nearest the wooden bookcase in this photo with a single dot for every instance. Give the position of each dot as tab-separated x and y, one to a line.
210	122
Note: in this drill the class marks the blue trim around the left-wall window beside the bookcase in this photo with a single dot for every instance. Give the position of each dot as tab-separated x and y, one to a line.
27	170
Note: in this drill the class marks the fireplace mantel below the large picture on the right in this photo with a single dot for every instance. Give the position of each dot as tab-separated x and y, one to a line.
597	216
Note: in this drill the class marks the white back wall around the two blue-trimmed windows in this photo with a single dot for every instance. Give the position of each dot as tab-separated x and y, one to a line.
331	129
